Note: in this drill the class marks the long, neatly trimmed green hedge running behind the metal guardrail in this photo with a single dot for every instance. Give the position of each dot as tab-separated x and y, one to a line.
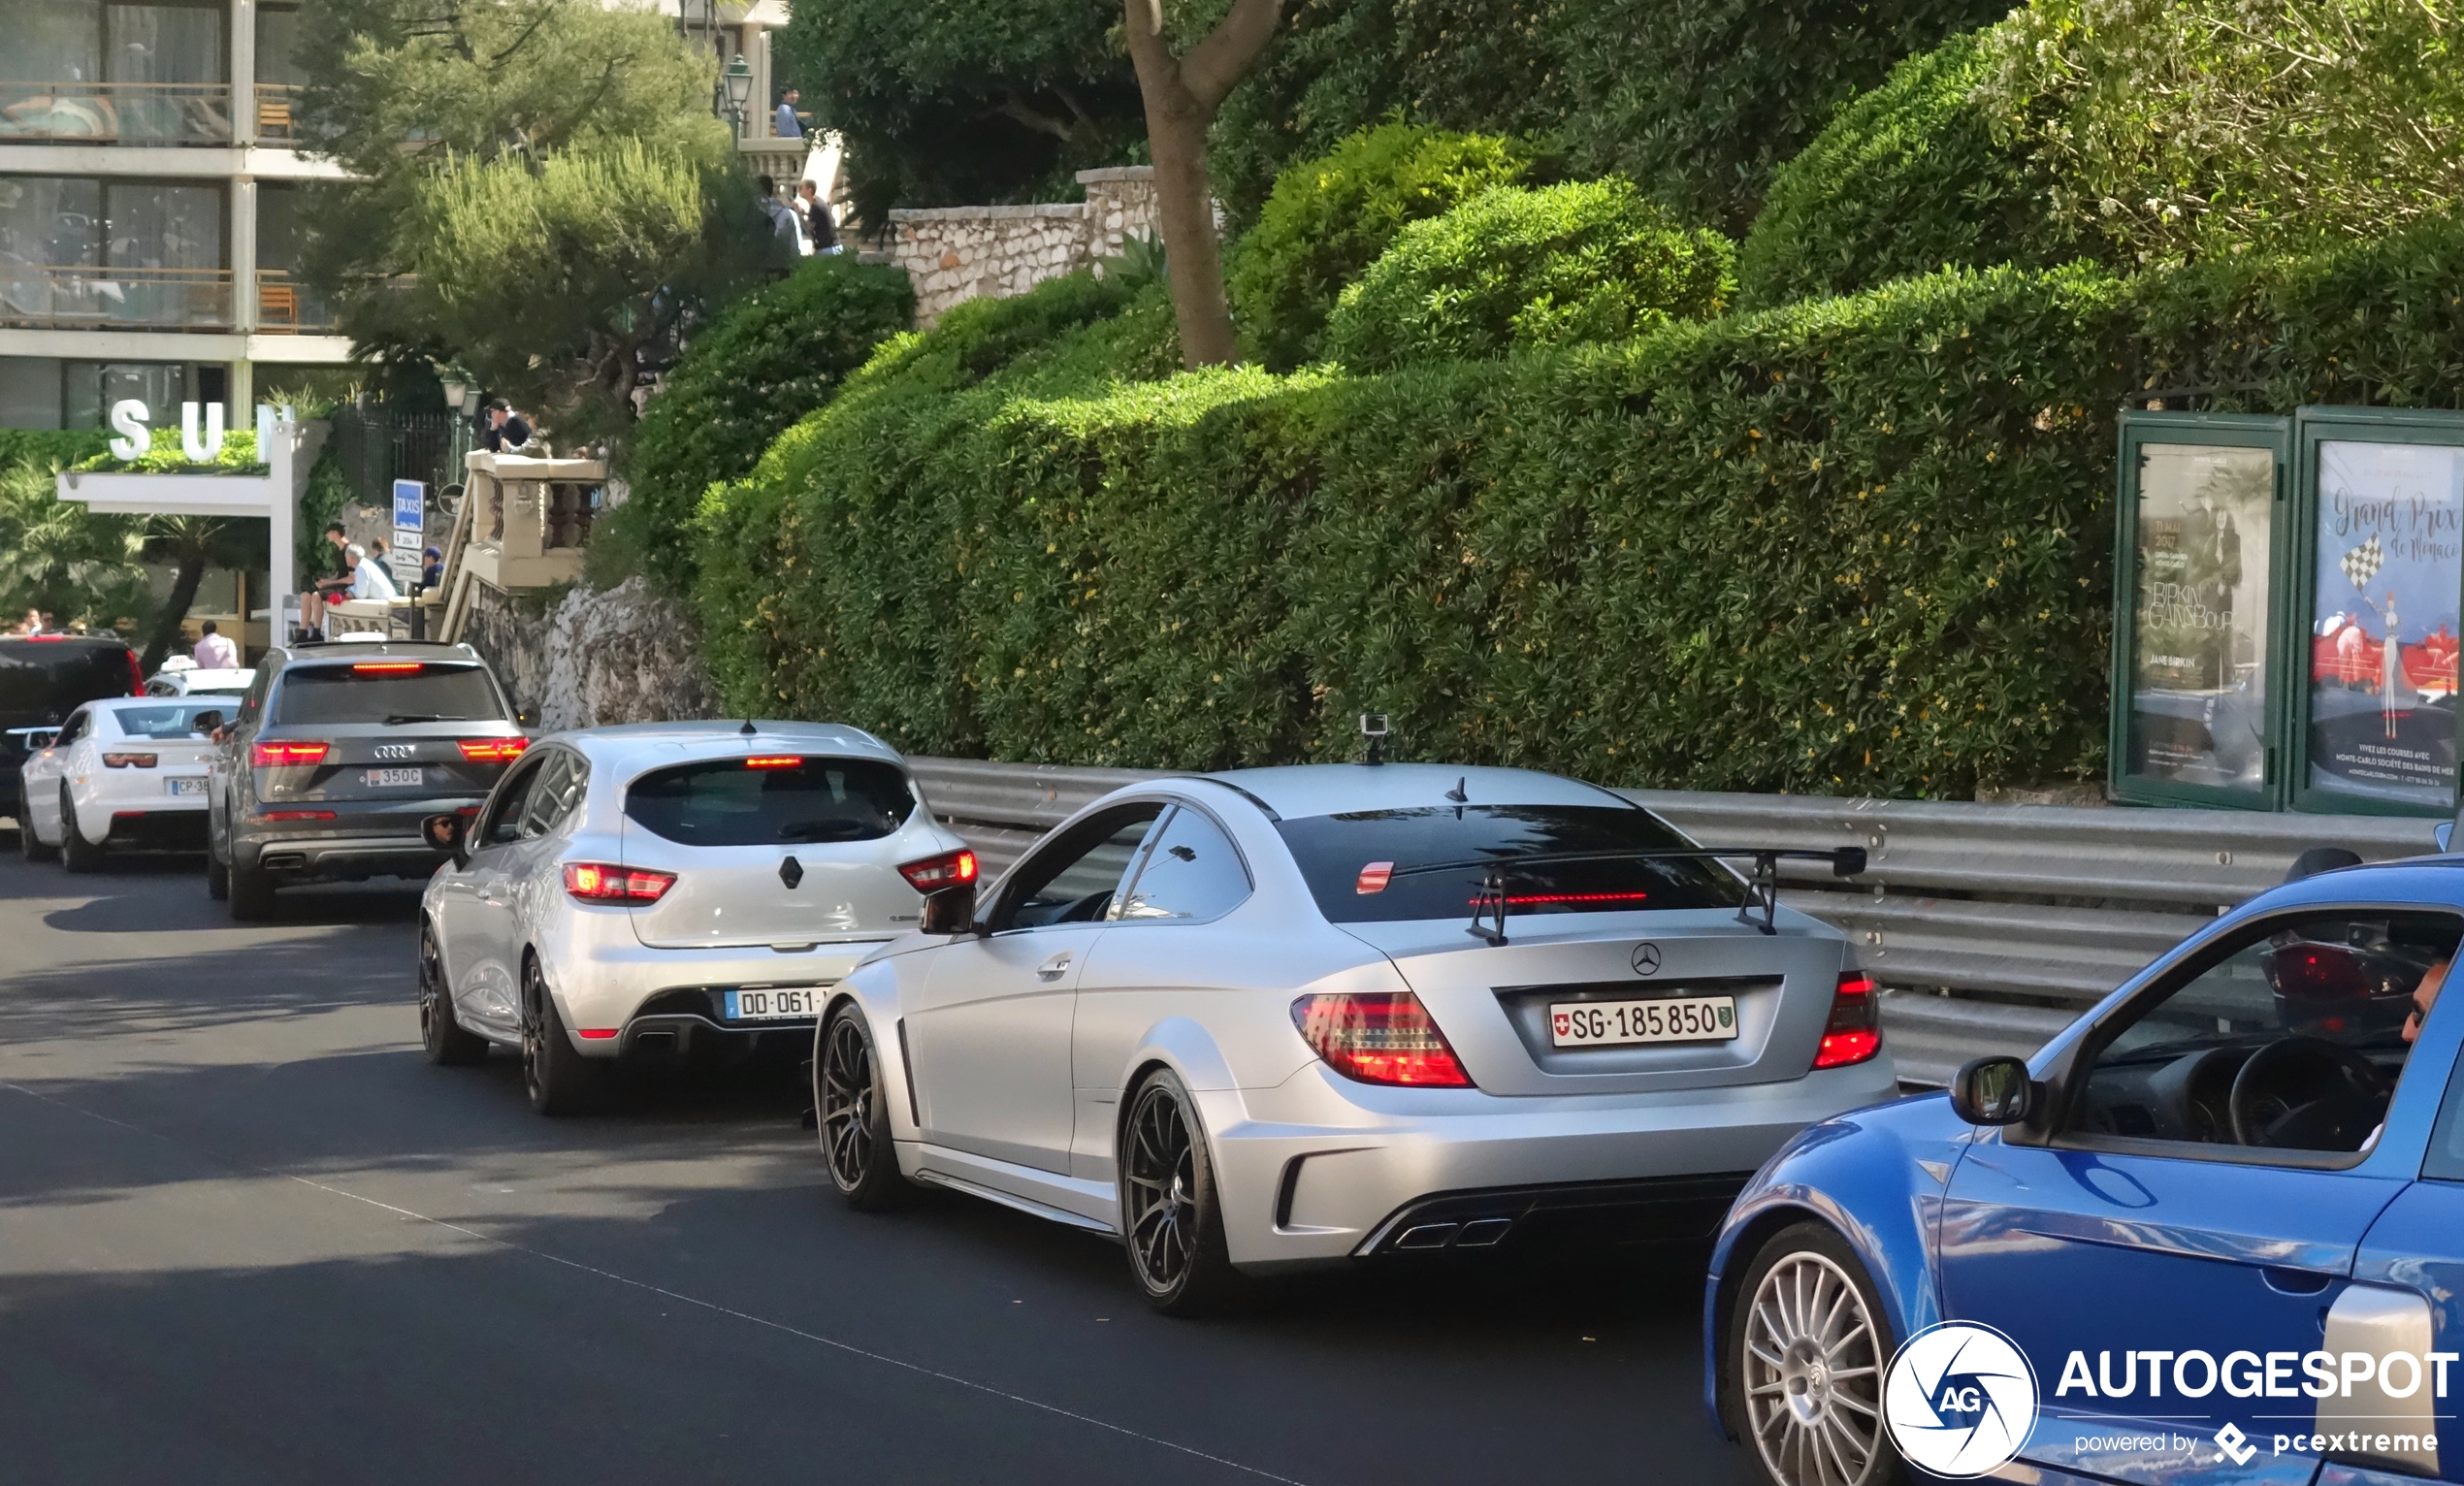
1847	546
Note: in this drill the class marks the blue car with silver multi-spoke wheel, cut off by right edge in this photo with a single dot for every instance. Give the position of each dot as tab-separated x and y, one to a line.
2211	1233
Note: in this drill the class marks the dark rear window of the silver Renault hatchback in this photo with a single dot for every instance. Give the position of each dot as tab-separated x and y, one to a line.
768	802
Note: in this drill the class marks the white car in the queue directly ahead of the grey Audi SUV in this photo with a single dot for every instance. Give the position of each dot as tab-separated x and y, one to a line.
122	775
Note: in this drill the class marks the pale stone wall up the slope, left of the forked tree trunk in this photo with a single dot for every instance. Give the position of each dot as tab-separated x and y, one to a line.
997	253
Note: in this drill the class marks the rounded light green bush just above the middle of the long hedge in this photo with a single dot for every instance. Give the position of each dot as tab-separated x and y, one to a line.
1519	267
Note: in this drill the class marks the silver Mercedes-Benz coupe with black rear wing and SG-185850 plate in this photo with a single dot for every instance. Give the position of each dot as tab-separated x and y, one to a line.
1275	1019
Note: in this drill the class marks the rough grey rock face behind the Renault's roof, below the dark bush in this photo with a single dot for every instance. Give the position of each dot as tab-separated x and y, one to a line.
593	659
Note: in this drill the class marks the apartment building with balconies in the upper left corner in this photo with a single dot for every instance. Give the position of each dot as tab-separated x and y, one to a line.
149	203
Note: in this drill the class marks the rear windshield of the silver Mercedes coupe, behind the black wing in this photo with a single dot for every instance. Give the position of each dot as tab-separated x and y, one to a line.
1359	866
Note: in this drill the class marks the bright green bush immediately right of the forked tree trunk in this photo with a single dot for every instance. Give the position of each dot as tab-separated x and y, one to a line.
1329	221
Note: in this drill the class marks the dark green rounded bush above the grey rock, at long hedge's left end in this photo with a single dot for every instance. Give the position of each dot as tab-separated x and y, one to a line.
765	363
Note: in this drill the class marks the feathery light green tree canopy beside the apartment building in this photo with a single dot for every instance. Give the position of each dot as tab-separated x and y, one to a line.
538	193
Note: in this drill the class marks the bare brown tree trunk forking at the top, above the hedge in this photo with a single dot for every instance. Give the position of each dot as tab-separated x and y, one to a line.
1181	100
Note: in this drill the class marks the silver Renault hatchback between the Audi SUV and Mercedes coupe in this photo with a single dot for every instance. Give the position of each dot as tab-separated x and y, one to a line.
669	888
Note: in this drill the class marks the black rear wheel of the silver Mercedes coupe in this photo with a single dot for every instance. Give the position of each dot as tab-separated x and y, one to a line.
1169	1211
